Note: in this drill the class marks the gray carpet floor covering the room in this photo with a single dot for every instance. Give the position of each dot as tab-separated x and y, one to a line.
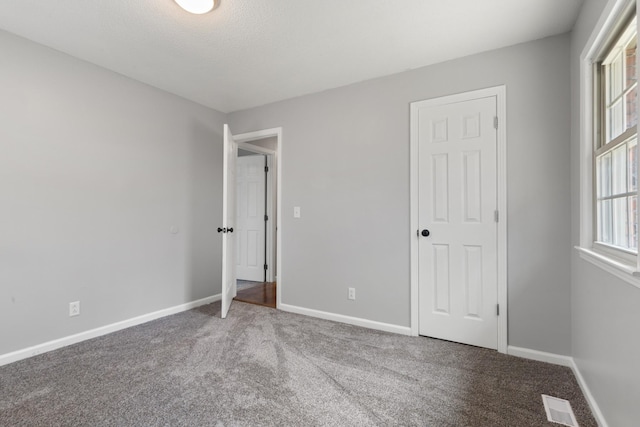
263	367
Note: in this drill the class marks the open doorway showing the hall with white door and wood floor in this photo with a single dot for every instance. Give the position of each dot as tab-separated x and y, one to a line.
256	219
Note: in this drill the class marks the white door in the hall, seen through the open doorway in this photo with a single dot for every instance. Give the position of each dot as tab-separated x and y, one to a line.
250	220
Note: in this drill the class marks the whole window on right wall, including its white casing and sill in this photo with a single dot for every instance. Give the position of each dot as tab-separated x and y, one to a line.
609	144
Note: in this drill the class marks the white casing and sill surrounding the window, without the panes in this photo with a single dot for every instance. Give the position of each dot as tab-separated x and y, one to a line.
620	263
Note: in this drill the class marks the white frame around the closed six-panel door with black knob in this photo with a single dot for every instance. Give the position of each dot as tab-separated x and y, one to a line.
500	93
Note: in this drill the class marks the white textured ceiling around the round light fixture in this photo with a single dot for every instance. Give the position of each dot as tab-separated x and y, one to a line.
248	53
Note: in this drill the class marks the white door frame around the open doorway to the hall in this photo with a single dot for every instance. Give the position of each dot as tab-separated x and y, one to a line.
274	158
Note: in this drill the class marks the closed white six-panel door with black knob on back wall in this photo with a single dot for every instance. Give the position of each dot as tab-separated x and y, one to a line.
457	218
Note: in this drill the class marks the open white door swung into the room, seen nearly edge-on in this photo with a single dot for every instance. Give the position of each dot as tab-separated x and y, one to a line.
228	221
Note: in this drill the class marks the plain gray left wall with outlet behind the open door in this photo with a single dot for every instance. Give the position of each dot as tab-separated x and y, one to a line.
94	170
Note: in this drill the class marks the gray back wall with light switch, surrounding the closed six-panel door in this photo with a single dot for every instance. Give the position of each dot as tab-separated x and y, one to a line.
346	163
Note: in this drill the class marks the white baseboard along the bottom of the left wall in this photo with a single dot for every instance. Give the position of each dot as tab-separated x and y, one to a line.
7	358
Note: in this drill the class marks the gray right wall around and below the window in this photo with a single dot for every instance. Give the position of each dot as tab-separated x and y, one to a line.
605	310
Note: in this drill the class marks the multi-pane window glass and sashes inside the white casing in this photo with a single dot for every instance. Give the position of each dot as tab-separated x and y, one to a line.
615	142
